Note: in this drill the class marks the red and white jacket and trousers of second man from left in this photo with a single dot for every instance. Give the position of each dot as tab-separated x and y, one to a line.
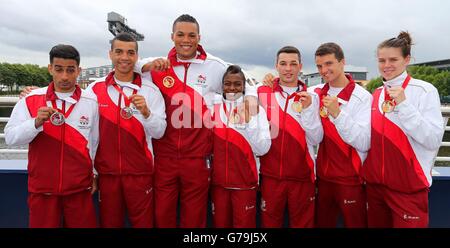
124	158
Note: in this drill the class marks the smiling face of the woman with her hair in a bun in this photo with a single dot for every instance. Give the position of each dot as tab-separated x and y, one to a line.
391	62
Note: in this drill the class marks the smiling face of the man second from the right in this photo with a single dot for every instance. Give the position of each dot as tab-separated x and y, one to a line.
329	67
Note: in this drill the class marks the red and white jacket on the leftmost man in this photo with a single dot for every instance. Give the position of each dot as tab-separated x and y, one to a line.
59	157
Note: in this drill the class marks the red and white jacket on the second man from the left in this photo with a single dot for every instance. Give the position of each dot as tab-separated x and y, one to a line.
125	145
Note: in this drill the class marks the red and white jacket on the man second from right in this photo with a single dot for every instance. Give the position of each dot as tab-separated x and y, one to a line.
346	138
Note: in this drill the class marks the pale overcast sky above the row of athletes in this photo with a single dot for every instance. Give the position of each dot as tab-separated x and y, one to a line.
247	33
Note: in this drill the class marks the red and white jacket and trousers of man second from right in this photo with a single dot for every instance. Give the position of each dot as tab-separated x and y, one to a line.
342	151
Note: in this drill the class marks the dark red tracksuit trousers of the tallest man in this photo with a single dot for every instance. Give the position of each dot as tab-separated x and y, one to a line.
186	179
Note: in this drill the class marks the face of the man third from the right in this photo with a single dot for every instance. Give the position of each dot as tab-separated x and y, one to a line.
288	67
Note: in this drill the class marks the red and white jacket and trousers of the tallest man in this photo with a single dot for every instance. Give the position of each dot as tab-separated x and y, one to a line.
188	87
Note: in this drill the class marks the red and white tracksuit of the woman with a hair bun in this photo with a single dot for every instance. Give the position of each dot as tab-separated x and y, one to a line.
404	144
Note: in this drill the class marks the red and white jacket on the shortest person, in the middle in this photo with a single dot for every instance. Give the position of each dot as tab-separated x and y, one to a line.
236	145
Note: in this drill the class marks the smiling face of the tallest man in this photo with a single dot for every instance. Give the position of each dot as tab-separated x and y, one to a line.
186	37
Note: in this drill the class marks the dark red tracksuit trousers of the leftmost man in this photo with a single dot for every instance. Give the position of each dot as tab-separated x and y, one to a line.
51	211
